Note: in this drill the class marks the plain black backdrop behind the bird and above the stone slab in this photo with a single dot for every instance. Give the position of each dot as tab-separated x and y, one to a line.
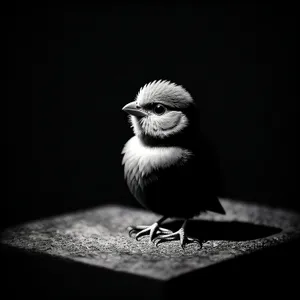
72	67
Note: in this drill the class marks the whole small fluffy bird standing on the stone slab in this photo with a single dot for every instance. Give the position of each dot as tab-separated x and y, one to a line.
168	165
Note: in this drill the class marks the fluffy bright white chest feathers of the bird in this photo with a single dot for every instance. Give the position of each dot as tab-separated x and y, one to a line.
141	161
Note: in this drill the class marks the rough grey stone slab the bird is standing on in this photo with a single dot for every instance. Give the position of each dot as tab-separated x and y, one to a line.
99	238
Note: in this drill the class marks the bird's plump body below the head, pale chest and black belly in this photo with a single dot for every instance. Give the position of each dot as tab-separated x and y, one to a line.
171	181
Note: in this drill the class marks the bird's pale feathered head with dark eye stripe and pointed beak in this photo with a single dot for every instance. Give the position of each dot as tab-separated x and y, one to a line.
161	110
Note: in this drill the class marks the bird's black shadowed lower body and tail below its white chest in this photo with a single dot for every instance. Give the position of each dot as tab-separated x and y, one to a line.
184	190
